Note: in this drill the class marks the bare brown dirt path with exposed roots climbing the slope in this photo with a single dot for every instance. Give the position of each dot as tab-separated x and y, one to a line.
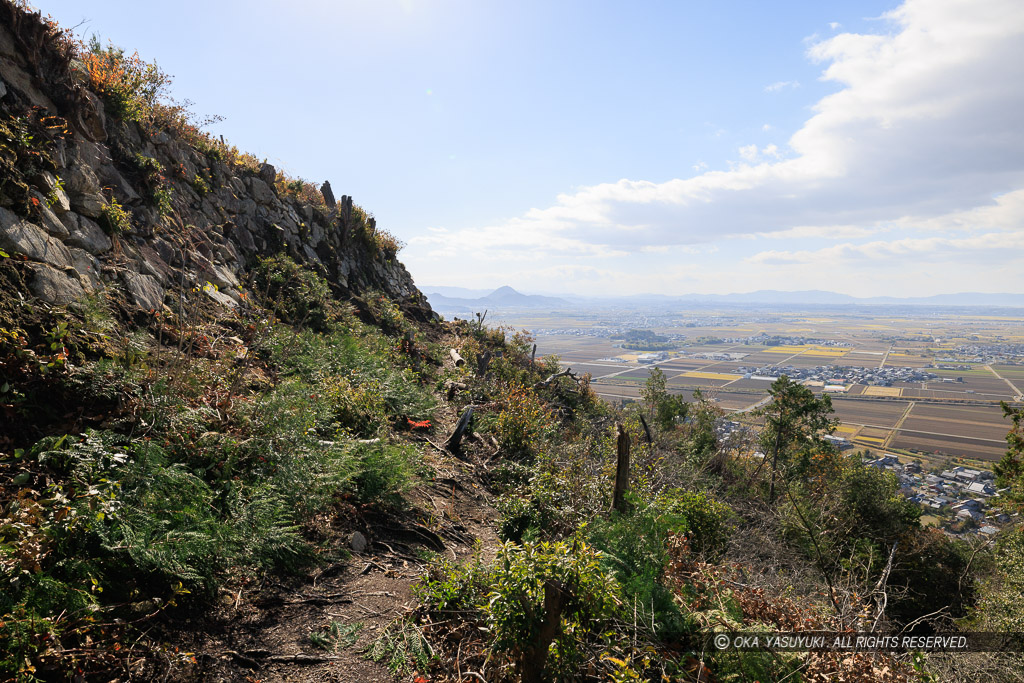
266	636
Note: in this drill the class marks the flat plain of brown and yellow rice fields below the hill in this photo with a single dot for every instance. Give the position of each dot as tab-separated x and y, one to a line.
956	414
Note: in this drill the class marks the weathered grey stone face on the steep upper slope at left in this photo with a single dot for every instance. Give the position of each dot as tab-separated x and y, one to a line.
203	222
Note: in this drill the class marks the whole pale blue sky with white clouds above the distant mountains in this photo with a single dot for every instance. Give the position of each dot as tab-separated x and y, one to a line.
609	148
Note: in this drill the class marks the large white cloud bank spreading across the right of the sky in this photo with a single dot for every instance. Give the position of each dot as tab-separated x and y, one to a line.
922	141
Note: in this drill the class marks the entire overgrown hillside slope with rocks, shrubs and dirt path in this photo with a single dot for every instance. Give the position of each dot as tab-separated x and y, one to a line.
238	446
